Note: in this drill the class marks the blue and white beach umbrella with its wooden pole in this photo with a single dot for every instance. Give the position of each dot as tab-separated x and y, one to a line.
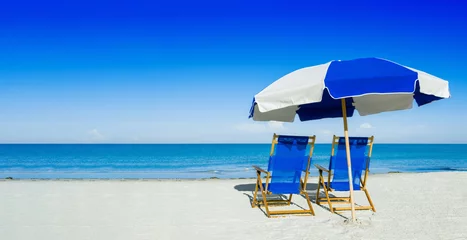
338	88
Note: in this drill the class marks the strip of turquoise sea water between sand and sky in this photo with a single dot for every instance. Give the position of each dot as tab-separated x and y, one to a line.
200	160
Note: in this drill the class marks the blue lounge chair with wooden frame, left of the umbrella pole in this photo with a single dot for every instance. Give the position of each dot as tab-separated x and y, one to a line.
287	162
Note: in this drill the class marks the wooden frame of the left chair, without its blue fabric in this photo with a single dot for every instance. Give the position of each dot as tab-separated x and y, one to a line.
264	190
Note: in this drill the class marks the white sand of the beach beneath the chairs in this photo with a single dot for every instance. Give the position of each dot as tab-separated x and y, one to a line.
409	206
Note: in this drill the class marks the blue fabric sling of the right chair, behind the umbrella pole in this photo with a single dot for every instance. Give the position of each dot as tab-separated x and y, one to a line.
360	161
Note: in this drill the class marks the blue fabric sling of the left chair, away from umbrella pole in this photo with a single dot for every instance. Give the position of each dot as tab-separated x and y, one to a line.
287	161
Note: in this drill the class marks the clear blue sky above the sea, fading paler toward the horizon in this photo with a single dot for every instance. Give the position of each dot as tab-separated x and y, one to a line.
186	71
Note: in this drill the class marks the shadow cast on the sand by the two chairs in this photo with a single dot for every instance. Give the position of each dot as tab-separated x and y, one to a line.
248	190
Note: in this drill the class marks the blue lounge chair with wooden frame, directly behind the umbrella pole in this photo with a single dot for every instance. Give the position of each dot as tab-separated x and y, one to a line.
337	174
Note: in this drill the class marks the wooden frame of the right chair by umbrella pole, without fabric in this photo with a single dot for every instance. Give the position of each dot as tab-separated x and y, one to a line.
340	200
